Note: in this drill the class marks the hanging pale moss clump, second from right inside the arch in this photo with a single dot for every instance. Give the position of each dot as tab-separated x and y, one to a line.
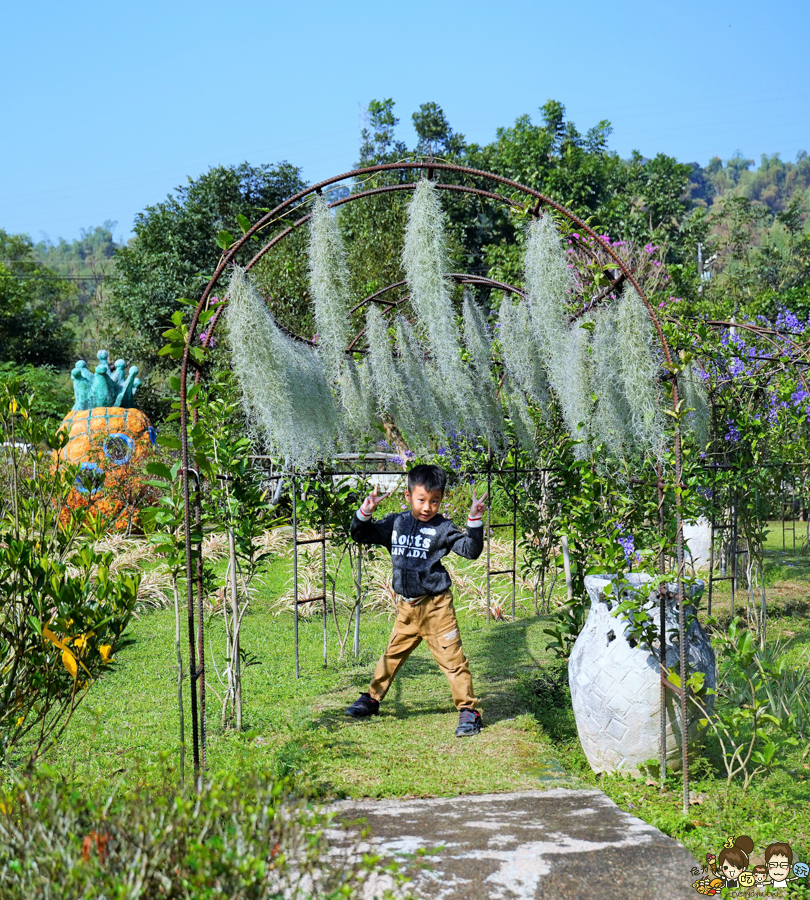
612	419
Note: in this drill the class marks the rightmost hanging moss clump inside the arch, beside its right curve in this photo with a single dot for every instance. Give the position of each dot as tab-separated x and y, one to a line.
639	370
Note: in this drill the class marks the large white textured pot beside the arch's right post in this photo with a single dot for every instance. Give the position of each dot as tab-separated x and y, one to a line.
616	683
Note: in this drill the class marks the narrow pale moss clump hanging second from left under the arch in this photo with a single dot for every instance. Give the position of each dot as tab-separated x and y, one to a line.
329	282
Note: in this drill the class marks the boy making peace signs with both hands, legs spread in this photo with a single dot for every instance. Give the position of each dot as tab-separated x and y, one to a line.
417	540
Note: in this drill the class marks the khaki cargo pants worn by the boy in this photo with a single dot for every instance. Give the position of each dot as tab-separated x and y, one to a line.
433	620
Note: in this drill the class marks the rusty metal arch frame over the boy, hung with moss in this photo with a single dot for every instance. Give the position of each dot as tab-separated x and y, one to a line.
534	203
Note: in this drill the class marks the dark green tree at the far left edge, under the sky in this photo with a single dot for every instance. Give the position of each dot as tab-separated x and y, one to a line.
30	294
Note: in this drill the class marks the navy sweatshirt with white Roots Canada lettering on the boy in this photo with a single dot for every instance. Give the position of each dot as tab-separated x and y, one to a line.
417	548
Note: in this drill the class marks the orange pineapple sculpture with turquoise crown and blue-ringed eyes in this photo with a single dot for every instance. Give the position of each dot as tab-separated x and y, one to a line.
109	440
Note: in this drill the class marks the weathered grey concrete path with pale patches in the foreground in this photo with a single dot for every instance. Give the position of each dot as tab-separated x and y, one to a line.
557	844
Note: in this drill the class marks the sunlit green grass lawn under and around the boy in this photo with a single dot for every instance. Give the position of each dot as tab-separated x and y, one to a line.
128	726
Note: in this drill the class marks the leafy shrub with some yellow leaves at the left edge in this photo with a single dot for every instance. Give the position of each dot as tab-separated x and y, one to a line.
63	610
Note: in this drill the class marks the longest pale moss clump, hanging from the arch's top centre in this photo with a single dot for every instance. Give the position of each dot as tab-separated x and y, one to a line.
425	259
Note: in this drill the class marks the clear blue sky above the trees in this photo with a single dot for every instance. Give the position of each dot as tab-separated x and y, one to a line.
108	106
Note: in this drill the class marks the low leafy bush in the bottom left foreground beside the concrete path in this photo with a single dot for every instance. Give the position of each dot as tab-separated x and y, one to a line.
241	839
